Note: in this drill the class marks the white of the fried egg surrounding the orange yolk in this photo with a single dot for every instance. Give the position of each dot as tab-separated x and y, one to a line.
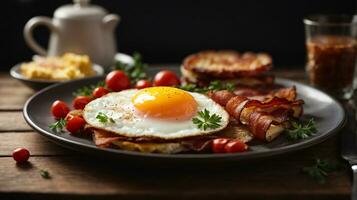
130	123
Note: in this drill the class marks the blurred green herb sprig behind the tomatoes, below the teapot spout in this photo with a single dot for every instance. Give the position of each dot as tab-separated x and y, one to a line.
135	71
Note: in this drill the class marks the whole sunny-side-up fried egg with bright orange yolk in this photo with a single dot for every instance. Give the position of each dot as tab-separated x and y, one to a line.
155	112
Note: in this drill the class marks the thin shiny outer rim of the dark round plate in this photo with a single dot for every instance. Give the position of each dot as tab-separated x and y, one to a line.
66	142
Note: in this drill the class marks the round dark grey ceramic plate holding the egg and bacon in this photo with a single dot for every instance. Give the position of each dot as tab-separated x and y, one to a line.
328	114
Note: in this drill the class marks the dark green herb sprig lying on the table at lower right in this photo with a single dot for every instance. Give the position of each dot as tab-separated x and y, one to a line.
320	169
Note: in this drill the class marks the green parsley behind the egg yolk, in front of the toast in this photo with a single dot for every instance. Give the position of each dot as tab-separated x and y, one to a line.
213	86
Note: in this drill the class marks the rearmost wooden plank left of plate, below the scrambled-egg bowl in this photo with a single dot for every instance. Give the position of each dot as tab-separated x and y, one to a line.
13	93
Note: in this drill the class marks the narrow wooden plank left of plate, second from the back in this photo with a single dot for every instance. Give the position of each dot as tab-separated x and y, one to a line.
13	121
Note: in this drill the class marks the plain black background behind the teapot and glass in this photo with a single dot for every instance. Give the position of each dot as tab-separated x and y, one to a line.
165	31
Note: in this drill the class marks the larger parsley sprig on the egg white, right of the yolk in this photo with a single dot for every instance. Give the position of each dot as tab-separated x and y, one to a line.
206	121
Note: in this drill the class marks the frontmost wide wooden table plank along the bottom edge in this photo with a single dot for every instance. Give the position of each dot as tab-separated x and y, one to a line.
281	178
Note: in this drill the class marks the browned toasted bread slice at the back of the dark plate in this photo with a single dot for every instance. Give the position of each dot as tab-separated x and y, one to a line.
227	64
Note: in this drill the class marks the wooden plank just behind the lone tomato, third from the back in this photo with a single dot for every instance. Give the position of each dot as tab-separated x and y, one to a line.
34	142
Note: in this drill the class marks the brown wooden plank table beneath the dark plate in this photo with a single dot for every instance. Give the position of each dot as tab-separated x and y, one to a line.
74	175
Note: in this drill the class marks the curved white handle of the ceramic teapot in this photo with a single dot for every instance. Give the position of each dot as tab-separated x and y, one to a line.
30	26
